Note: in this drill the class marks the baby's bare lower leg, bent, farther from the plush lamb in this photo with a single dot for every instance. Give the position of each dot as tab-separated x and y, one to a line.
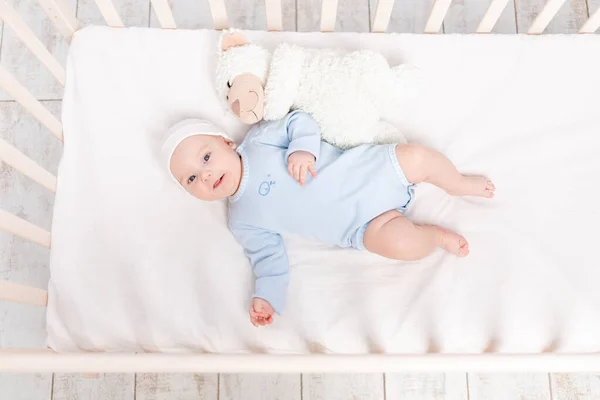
393	236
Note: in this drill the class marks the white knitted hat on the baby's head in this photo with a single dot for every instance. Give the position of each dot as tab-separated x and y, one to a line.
182	130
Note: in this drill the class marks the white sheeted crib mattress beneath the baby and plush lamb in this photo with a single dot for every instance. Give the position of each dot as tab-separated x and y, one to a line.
137	265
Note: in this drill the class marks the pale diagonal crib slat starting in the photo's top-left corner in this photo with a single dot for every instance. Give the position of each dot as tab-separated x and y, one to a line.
14	21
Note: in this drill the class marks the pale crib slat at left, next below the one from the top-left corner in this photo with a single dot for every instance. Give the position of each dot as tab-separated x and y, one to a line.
27	100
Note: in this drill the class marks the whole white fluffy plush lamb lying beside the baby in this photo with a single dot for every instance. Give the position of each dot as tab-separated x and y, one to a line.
345	92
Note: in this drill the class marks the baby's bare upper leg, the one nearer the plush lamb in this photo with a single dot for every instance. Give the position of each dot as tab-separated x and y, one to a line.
421	164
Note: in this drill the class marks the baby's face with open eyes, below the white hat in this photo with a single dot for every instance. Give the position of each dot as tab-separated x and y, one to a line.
207	166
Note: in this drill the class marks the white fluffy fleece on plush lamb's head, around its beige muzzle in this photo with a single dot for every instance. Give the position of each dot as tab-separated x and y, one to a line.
245	59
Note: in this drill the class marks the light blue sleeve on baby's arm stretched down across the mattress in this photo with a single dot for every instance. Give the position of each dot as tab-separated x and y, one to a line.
269	261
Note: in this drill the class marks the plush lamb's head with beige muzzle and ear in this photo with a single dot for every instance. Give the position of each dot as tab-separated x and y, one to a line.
241	75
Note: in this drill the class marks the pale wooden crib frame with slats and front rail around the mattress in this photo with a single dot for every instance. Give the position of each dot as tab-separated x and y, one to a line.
19	360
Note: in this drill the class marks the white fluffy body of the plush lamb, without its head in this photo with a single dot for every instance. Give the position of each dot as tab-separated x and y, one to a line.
345	92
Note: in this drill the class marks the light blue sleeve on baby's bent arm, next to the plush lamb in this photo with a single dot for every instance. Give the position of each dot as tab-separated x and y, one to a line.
303	134
